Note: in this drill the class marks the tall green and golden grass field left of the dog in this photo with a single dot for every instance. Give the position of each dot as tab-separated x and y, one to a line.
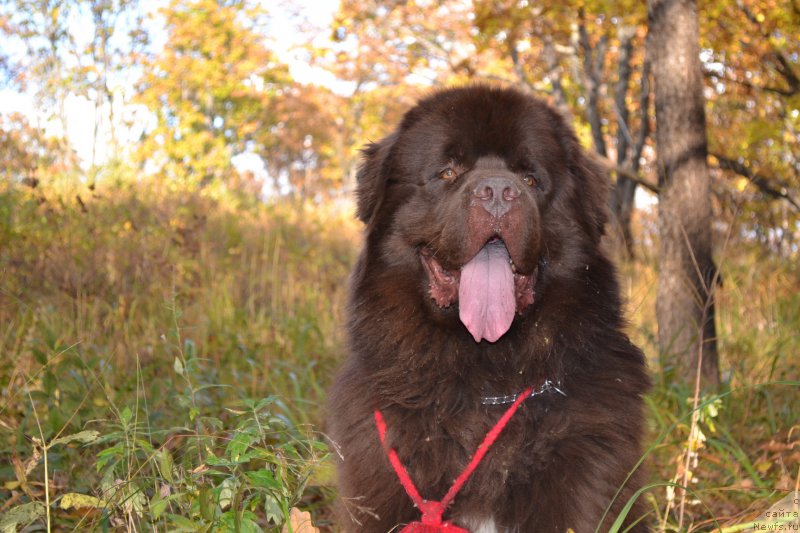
195	333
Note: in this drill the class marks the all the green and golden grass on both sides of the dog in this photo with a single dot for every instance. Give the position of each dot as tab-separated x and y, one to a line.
166	352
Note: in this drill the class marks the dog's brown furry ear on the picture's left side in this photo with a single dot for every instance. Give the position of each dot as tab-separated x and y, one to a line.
371	178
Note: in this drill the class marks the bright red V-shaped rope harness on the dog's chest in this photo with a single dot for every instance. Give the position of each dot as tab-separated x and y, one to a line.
432	511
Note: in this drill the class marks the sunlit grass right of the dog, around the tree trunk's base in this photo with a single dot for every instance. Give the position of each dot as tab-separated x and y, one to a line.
741	451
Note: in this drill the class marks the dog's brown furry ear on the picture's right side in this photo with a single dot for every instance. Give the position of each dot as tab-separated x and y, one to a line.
593	184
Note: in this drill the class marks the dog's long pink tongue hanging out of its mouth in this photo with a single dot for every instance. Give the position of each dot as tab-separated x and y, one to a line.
486	293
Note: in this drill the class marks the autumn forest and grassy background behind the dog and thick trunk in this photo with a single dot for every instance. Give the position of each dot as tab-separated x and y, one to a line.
176	229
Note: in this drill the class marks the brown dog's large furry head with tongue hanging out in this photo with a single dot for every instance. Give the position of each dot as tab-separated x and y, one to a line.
479	189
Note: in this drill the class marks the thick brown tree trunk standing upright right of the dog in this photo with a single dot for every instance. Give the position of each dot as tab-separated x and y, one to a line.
686	281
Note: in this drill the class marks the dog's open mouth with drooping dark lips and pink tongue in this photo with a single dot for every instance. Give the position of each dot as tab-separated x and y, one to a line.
488	289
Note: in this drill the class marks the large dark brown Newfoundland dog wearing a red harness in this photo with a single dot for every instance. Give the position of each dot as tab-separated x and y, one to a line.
490	386
